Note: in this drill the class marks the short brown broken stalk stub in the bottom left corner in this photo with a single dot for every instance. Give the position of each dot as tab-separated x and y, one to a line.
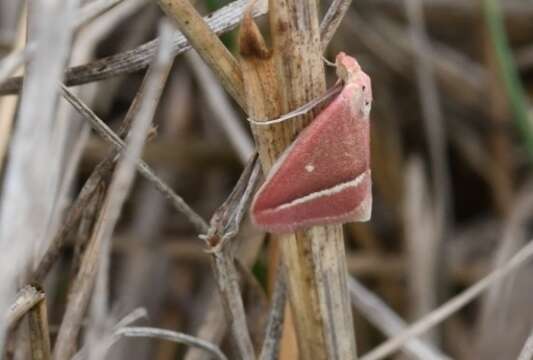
39	333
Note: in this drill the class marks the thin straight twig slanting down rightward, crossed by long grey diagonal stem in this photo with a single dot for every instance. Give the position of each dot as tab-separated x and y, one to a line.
145	170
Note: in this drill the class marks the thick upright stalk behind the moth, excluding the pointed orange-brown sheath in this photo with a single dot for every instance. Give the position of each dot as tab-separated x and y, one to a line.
315	259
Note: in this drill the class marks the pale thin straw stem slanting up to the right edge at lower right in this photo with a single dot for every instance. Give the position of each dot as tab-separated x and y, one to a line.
452	305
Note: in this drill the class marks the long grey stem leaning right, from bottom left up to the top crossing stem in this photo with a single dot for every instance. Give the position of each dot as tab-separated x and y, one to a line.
110	211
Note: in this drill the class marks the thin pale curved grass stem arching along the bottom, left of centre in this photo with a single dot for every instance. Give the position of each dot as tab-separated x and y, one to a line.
172	336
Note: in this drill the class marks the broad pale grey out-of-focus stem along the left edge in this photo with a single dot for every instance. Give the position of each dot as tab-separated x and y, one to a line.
25	209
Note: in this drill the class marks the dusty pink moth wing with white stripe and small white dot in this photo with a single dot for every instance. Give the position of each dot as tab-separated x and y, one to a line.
324	176
